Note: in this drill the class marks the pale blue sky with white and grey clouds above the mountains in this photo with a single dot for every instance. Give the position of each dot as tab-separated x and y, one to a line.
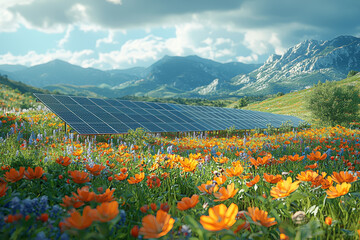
119	34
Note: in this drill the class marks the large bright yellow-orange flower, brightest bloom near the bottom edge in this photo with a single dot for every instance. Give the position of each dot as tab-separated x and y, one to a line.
220	217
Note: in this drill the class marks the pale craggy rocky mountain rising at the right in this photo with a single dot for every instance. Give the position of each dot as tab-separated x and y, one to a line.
301	66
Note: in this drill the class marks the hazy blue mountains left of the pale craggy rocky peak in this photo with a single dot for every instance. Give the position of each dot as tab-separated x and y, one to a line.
177	74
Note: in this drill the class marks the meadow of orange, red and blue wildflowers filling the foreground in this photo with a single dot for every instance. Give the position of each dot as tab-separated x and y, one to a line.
301	184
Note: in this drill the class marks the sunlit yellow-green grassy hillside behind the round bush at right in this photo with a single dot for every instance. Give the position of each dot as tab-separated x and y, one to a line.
294	103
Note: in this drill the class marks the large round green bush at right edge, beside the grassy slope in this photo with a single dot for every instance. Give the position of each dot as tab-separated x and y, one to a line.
334	104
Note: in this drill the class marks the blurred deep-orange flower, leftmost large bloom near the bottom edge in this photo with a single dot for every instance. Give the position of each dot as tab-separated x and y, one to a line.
78	221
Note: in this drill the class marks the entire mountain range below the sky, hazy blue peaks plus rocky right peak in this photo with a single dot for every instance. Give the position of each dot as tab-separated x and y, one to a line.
299	67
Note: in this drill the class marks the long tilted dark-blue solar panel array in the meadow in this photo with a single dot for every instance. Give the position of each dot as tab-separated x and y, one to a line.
111	116
